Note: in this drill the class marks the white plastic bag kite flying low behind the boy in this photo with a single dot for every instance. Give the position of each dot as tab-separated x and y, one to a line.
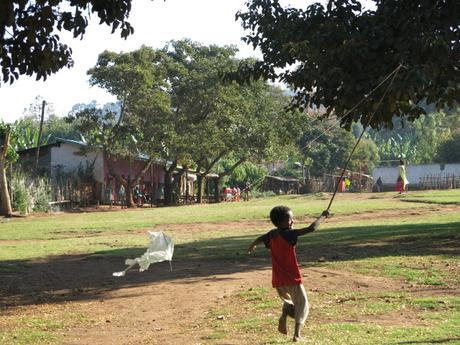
161	248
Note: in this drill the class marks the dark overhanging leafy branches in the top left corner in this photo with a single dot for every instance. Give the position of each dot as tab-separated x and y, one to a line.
28	32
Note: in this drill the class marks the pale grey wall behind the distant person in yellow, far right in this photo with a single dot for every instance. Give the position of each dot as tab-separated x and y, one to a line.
414	172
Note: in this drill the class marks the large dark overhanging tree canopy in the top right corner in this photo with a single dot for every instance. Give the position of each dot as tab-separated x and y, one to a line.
334	55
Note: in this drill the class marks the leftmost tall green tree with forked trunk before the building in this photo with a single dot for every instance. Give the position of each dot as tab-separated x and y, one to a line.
139	80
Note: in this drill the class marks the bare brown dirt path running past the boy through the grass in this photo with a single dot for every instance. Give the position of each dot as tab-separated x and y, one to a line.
171	312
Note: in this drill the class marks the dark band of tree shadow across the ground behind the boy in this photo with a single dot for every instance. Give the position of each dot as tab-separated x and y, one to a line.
86	277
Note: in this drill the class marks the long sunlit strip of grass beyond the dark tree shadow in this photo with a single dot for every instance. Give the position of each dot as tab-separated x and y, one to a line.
69	225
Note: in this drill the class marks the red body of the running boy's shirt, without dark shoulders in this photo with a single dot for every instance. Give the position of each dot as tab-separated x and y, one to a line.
285	268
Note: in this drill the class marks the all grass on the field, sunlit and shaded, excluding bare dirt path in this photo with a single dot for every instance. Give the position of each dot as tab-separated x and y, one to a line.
420	247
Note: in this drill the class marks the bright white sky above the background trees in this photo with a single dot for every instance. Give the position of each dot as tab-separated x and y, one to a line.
155	22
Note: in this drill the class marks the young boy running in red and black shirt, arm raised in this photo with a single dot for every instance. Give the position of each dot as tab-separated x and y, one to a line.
286	278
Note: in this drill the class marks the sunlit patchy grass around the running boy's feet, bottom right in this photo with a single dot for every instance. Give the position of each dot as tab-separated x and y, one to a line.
349	318
